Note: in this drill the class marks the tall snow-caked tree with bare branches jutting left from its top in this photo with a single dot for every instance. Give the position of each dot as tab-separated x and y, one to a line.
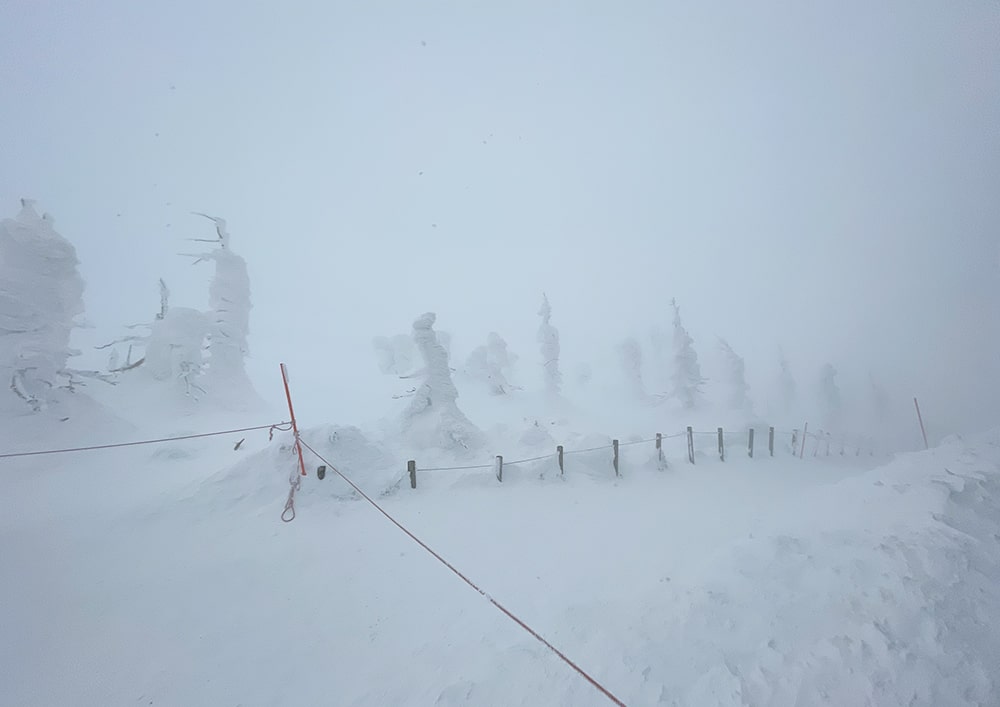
229	315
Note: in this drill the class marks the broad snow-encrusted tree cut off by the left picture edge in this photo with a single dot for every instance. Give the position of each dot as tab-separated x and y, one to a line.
41	294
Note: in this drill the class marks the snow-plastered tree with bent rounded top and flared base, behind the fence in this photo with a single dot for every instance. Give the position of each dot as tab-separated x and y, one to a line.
433	417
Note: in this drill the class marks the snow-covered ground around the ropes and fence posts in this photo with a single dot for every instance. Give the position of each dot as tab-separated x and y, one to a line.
162	575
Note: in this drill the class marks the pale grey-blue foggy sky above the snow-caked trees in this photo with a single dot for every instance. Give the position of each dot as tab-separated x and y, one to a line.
820	176
